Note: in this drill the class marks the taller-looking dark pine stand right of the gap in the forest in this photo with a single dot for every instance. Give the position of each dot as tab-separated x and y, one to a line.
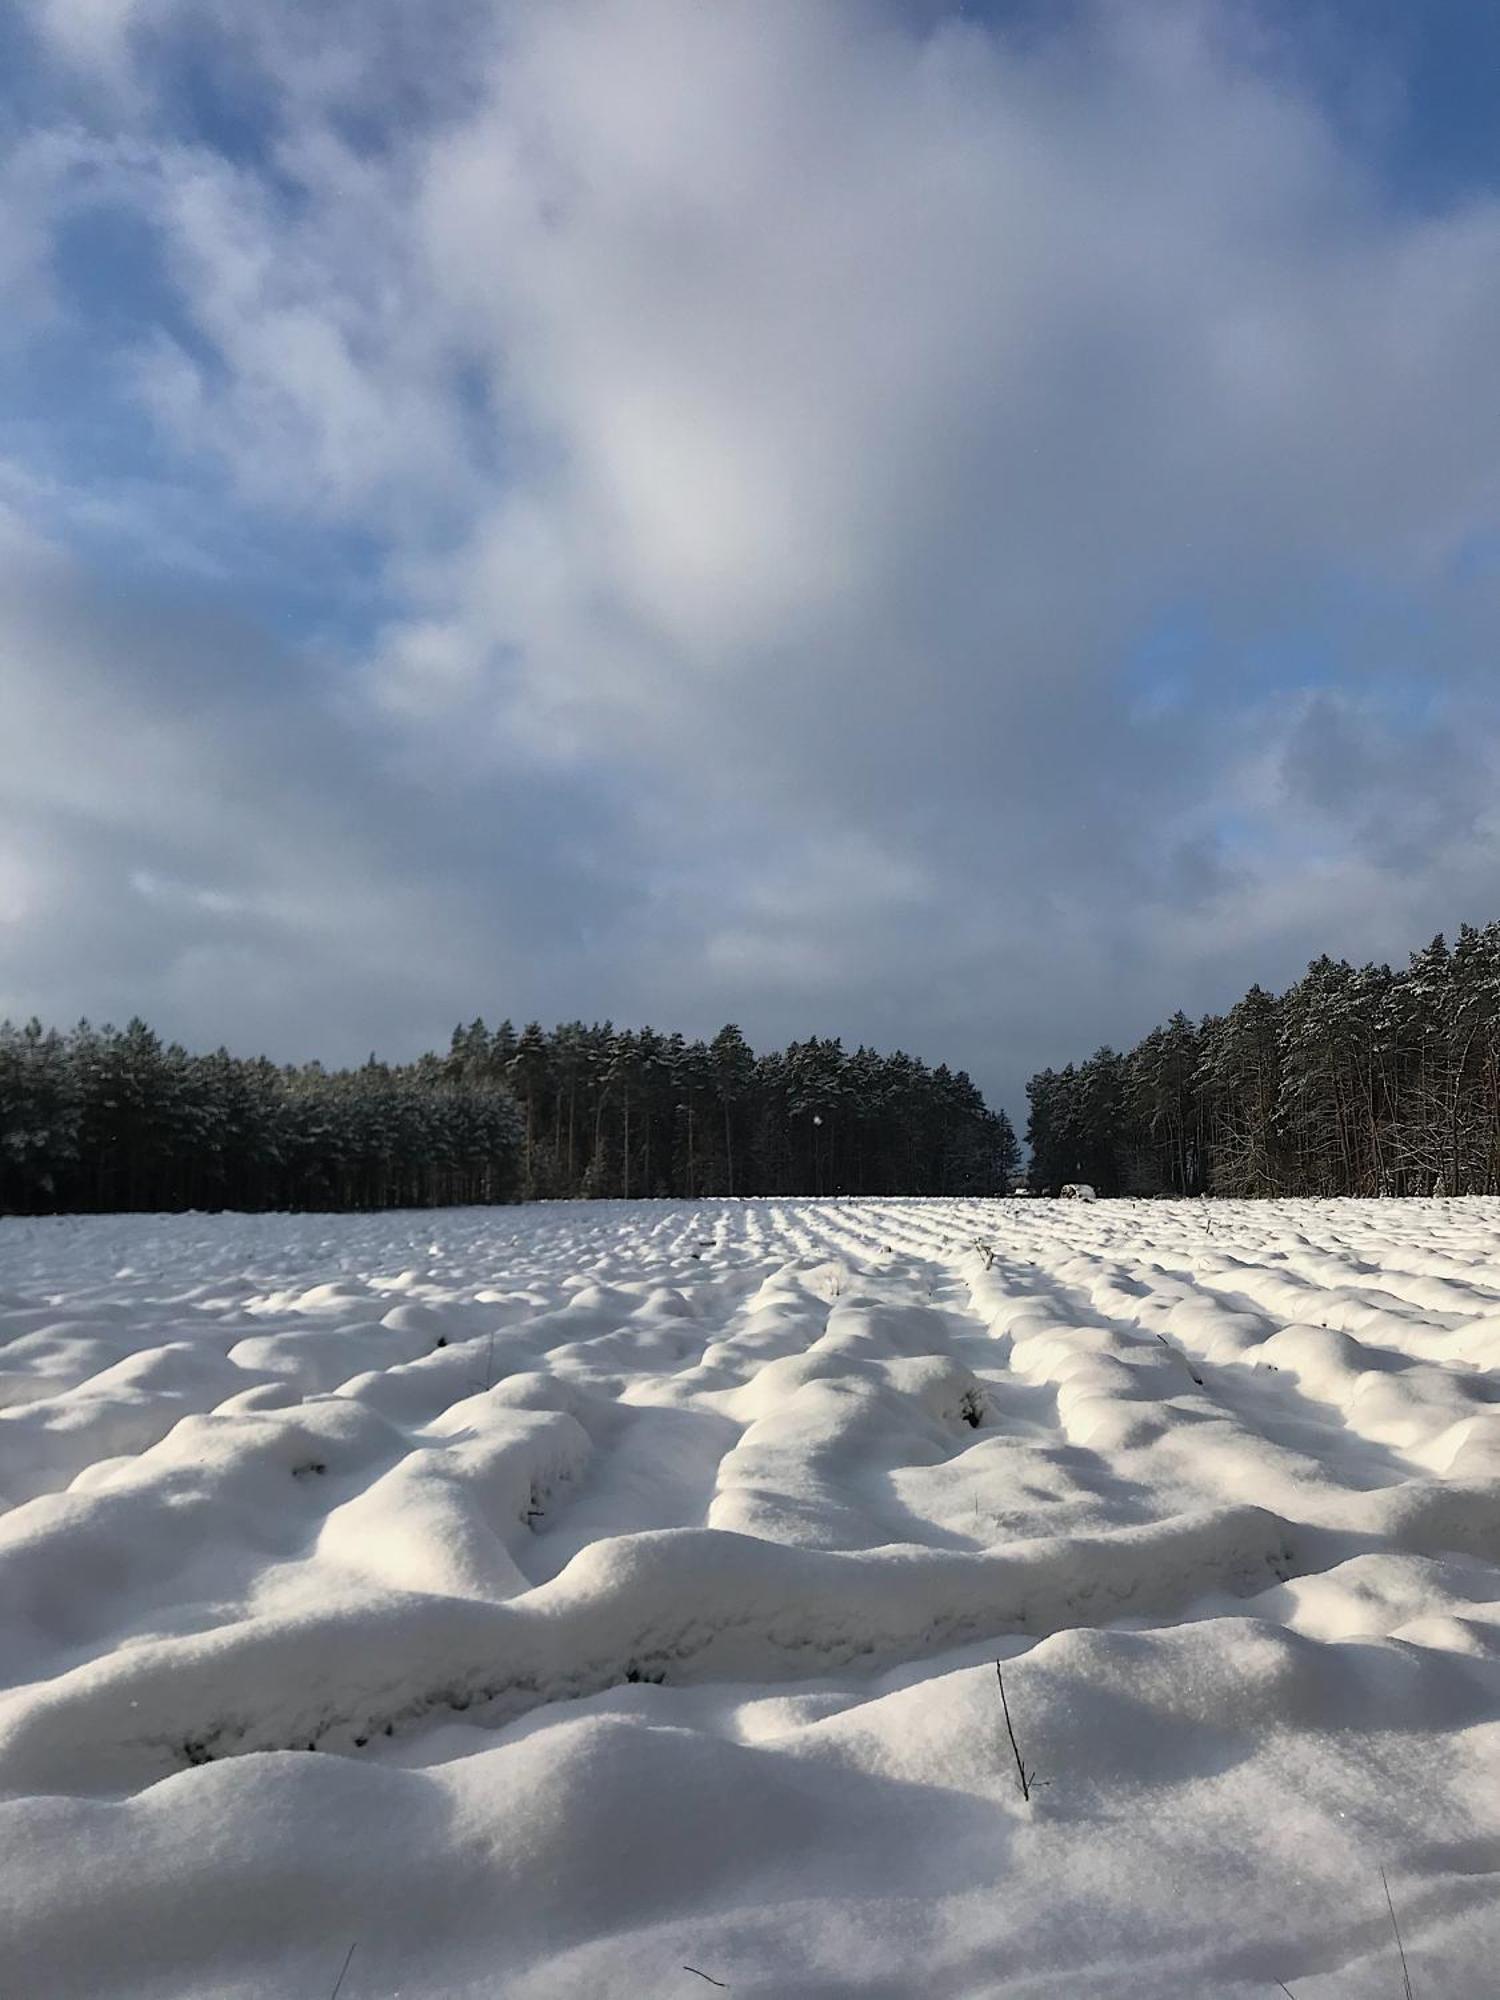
1355	1081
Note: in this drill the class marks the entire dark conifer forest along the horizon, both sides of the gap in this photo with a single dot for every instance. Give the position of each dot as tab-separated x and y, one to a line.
1355	1081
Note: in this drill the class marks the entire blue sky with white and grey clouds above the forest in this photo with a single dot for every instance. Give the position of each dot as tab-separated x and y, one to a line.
955	527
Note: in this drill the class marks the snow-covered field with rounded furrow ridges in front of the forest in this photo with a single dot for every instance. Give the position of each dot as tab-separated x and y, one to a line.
555	1601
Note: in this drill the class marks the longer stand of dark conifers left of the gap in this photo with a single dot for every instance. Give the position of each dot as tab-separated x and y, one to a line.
111	1119
